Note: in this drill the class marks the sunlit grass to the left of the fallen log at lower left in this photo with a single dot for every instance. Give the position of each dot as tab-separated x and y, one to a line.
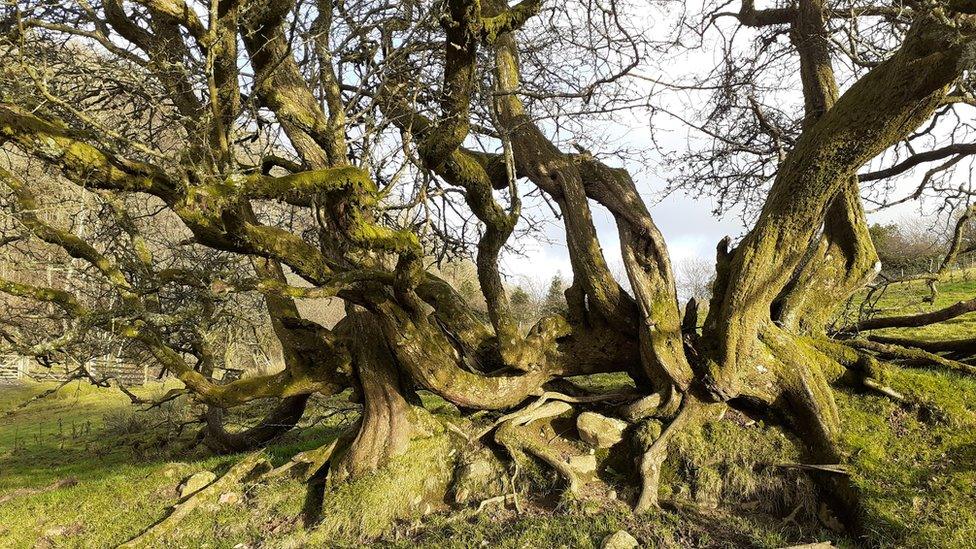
115	494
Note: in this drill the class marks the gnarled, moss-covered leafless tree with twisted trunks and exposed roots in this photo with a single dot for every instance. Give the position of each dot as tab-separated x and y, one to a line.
296	149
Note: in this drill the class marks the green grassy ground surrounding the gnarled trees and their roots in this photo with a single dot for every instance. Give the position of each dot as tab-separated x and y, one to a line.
83	468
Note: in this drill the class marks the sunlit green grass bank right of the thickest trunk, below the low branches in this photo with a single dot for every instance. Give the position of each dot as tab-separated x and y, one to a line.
916	471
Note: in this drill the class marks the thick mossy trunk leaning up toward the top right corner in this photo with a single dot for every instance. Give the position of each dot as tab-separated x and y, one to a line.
874	113
